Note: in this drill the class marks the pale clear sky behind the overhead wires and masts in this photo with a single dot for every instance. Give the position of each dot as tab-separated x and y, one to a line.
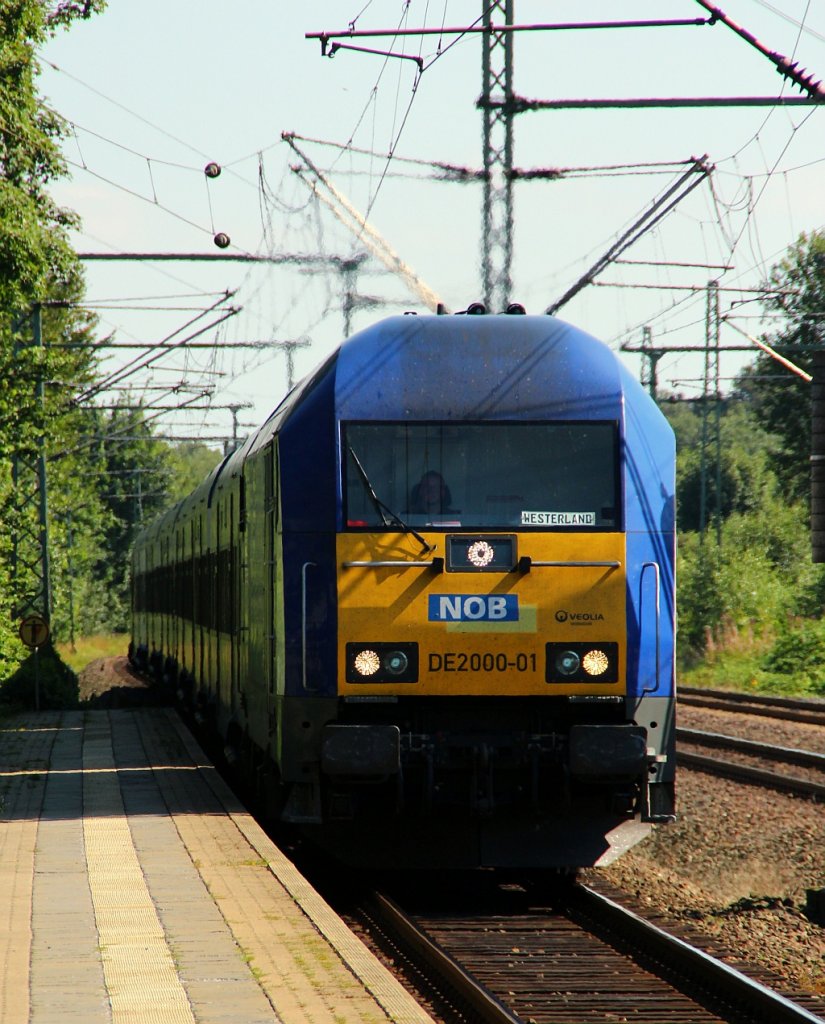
155	93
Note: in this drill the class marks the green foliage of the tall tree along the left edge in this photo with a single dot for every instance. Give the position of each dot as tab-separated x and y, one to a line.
41	286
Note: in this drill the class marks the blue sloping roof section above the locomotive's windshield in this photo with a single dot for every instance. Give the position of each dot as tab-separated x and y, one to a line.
466	368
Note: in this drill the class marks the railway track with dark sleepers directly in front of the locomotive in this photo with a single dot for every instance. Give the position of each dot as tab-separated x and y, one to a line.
565	956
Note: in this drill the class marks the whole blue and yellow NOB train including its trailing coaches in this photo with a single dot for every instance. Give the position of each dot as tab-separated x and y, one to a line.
430	602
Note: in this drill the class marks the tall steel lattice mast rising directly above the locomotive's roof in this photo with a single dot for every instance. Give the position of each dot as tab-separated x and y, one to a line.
497	108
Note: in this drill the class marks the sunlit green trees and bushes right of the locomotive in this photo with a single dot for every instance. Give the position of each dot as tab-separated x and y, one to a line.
752	603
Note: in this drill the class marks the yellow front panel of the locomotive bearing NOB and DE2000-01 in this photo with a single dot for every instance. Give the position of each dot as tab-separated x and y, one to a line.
472	649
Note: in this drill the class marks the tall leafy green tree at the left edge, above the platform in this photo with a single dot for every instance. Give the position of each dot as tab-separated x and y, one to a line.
38	268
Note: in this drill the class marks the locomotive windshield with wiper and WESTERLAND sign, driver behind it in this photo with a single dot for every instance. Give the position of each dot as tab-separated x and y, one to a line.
530	476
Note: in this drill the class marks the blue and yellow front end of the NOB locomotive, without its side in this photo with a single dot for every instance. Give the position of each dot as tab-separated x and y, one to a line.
504	590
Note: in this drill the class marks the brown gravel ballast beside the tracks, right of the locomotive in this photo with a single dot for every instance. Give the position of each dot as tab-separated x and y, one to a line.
737	865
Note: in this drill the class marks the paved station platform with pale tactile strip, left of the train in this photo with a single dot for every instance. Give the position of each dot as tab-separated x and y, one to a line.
135	888
